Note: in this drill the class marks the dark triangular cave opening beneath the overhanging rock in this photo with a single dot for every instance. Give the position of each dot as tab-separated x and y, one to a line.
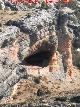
40	59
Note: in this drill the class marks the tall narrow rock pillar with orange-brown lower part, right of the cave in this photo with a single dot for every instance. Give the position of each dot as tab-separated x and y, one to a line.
65	35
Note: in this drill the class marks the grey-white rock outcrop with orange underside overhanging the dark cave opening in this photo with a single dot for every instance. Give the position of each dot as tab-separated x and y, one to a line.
41	31
